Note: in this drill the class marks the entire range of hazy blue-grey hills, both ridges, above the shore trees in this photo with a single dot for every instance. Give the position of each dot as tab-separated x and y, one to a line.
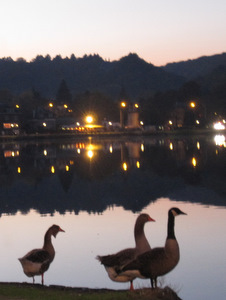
133	75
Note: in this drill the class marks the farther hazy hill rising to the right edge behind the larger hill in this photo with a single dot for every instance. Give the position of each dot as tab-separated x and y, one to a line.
199	67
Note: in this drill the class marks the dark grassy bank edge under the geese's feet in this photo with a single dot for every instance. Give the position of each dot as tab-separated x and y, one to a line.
25	291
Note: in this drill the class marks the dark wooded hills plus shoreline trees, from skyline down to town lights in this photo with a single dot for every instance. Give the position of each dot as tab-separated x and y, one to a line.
97	84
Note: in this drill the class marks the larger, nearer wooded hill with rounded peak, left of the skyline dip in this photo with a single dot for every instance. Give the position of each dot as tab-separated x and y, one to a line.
90	73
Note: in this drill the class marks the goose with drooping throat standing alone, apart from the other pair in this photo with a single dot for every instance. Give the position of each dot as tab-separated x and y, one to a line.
37	261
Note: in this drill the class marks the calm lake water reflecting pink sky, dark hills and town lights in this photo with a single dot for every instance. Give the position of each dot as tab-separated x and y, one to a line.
95	189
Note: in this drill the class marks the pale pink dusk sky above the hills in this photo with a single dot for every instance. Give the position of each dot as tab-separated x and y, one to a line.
159	31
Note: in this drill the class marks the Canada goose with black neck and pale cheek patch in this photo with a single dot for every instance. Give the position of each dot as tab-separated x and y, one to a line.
158	261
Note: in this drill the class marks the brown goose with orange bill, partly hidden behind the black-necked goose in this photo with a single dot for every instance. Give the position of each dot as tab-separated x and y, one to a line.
113	263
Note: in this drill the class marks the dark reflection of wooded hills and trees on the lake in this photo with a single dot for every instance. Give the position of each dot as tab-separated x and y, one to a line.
93	184
